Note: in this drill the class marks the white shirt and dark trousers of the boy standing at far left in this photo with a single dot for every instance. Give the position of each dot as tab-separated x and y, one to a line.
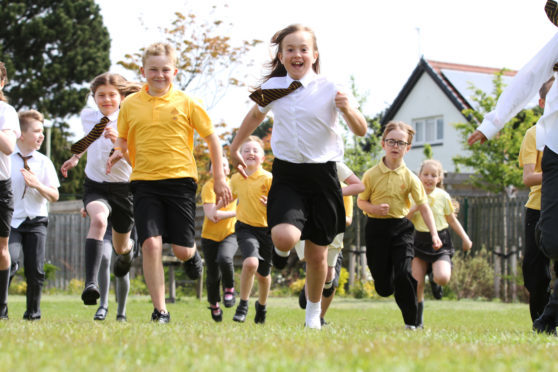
29	225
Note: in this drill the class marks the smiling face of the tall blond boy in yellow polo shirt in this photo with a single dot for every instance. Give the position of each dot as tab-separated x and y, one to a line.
159	71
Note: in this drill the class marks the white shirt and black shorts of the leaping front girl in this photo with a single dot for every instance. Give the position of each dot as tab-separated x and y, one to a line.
306	142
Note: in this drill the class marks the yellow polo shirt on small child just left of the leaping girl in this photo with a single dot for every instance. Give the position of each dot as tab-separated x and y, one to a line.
250	209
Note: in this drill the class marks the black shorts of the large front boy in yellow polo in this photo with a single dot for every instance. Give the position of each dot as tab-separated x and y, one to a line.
166	208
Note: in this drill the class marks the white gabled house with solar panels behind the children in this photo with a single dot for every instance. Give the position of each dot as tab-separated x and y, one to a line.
433	99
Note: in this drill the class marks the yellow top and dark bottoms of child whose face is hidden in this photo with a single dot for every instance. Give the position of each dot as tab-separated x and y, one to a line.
219	246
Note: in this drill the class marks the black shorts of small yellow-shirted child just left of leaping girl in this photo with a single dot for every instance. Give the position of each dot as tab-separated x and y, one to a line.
255	242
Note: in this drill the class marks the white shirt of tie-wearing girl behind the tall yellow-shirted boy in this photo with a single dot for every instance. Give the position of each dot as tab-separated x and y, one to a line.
98	152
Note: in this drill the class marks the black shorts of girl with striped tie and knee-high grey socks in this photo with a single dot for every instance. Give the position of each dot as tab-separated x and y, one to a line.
118	199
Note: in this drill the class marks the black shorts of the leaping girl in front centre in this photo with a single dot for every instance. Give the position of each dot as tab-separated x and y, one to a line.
309	197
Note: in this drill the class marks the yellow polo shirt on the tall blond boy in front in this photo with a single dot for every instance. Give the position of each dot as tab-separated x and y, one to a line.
160	134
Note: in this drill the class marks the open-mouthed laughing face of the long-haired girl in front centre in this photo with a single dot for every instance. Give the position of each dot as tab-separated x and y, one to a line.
298	54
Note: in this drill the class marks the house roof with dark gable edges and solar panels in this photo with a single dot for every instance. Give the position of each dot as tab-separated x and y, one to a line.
455	80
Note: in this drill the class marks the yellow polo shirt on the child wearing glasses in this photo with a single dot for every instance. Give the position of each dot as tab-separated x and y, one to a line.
393	187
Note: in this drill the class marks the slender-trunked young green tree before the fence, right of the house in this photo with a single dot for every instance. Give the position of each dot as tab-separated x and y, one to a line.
495	162
